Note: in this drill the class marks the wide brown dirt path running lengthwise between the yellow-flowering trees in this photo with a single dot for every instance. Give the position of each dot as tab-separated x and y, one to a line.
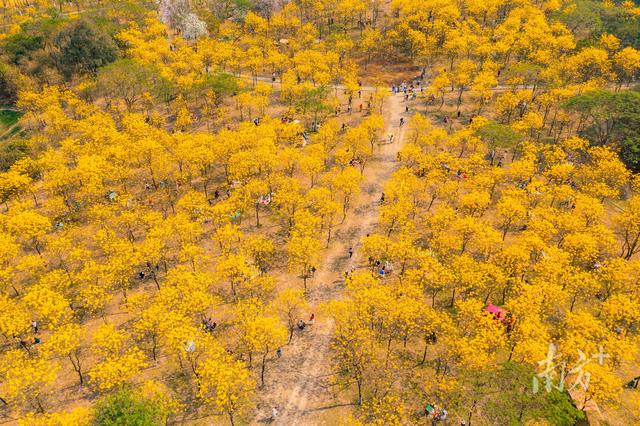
299	384
